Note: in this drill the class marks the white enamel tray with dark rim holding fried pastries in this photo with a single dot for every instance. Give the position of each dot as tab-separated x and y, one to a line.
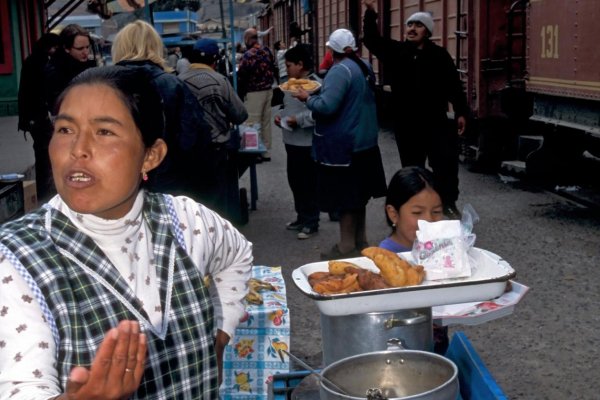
487	281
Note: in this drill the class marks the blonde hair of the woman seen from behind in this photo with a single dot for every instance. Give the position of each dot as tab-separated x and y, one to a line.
138	41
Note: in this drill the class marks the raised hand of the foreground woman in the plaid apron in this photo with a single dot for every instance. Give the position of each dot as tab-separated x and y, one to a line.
117	369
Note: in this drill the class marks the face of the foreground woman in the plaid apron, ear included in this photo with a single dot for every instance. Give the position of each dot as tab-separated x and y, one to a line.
97	153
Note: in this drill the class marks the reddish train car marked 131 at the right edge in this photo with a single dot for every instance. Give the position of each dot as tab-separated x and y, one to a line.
564	79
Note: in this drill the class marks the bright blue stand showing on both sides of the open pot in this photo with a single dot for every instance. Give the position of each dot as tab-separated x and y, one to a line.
476	381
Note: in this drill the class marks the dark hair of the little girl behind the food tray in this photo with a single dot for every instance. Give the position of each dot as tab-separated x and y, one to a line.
406	183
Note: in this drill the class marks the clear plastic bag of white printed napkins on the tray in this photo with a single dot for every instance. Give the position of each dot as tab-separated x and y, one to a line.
442	247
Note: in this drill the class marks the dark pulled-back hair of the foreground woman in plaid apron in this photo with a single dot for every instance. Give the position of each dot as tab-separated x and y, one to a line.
134	88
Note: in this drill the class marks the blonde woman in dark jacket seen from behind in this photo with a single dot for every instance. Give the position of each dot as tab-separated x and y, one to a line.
138	46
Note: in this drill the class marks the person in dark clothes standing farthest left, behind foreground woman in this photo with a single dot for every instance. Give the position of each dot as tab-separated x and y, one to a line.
33	111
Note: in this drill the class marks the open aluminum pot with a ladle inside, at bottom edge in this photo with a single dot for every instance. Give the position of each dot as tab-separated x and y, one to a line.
398	374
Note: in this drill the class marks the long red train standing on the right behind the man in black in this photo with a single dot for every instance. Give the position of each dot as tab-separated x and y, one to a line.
530	67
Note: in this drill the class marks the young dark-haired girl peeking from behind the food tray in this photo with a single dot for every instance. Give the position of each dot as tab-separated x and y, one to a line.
411	196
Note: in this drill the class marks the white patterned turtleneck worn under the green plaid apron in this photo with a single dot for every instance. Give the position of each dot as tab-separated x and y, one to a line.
27	349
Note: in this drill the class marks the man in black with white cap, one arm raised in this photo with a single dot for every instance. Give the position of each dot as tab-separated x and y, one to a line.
424	80
